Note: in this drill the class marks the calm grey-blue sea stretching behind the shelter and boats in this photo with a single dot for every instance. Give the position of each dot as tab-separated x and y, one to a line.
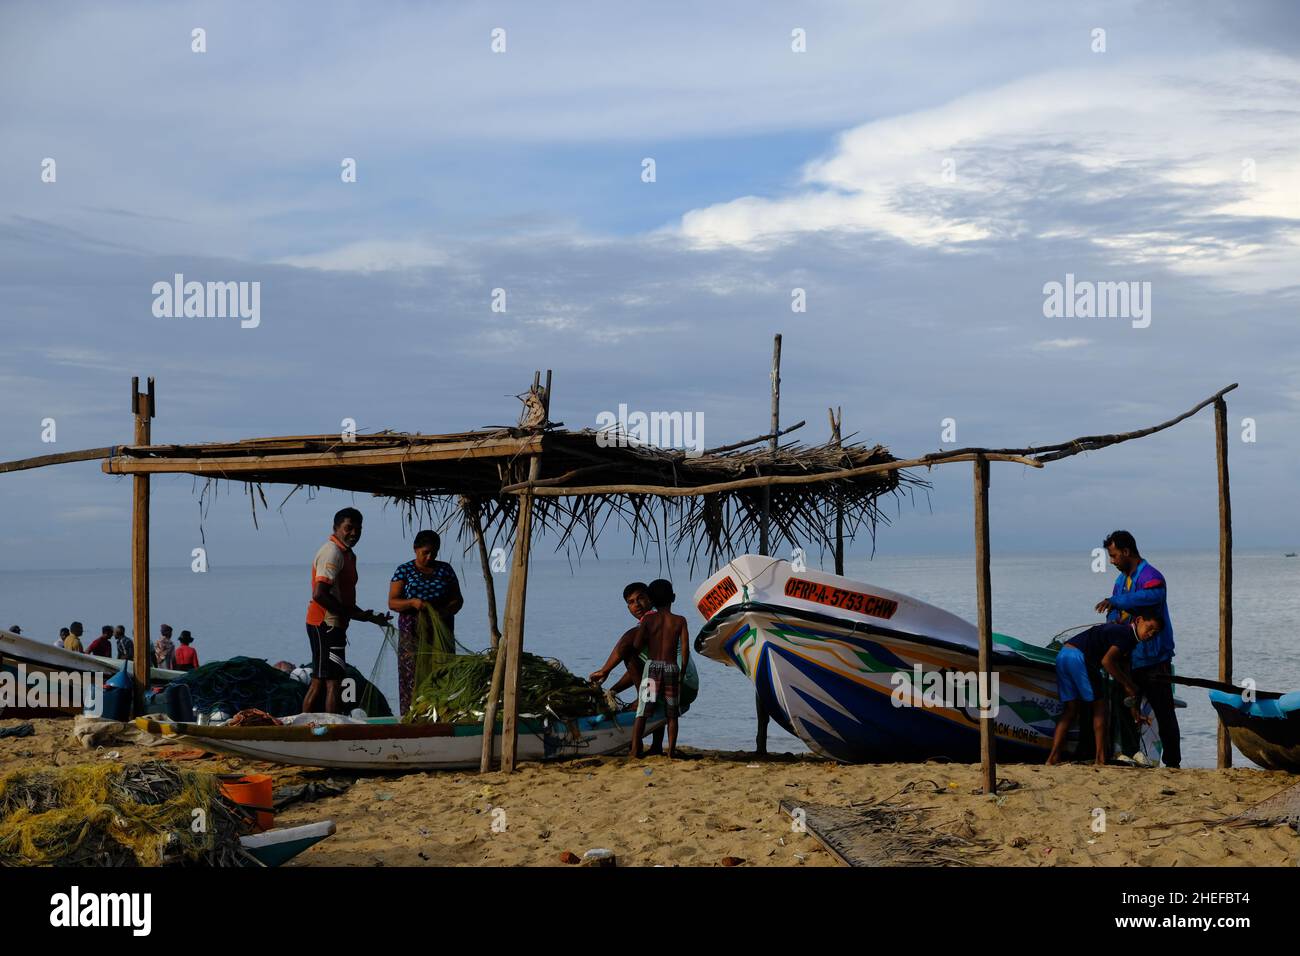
577	613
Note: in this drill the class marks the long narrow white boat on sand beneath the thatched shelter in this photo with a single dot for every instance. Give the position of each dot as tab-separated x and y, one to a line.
383	743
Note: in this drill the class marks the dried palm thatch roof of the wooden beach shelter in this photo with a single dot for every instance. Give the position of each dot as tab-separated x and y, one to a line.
587	483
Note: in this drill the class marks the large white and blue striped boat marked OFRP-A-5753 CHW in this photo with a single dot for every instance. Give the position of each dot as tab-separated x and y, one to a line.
839	664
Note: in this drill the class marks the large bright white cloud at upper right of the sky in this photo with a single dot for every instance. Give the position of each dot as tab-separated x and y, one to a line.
887	176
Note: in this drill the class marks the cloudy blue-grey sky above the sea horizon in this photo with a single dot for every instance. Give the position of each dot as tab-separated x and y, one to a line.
921	171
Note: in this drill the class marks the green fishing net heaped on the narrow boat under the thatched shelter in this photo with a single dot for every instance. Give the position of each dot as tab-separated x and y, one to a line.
453	687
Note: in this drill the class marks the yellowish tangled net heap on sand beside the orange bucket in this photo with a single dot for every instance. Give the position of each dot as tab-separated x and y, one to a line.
119	816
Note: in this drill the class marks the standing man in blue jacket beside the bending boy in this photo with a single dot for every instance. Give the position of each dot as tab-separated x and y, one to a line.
1142	586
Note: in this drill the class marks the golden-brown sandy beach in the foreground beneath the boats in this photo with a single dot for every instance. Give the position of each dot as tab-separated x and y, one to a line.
714	807
